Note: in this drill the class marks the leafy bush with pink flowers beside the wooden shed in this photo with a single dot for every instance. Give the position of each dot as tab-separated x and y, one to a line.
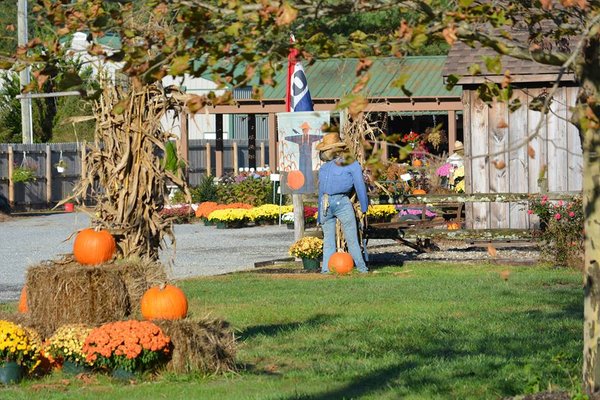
561	229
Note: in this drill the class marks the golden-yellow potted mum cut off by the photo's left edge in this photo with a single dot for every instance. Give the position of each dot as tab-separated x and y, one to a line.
18	352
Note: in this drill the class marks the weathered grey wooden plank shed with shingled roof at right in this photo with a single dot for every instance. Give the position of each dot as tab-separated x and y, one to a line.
540	152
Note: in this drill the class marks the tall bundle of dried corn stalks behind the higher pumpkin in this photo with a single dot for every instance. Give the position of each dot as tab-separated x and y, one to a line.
125	173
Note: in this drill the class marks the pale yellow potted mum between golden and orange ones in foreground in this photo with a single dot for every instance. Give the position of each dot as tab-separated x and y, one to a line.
65	346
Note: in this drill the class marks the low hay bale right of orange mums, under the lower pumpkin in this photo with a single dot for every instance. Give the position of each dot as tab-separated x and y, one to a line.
207	345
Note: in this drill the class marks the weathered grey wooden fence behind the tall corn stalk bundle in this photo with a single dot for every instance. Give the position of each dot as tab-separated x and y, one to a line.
50	186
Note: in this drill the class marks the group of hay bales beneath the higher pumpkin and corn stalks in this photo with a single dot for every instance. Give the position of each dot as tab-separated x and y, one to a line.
65	292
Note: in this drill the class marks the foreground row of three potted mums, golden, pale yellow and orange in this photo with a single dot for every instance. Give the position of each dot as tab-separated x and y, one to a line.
124	348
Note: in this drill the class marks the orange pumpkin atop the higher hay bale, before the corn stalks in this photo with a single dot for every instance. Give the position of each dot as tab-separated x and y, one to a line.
93	247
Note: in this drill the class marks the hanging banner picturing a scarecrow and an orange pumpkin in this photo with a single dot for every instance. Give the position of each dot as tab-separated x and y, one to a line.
298	134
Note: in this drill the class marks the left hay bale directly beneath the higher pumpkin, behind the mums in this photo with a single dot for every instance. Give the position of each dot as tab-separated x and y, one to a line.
65	293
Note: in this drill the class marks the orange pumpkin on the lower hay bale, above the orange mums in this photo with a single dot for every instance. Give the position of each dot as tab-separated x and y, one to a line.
164	302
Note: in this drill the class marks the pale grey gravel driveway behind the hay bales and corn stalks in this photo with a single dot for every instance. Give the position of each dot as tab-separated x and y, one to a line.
200	250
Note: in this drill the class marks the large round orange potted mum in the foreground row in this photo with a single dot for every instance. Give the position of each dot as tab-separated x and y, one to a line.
127	347
